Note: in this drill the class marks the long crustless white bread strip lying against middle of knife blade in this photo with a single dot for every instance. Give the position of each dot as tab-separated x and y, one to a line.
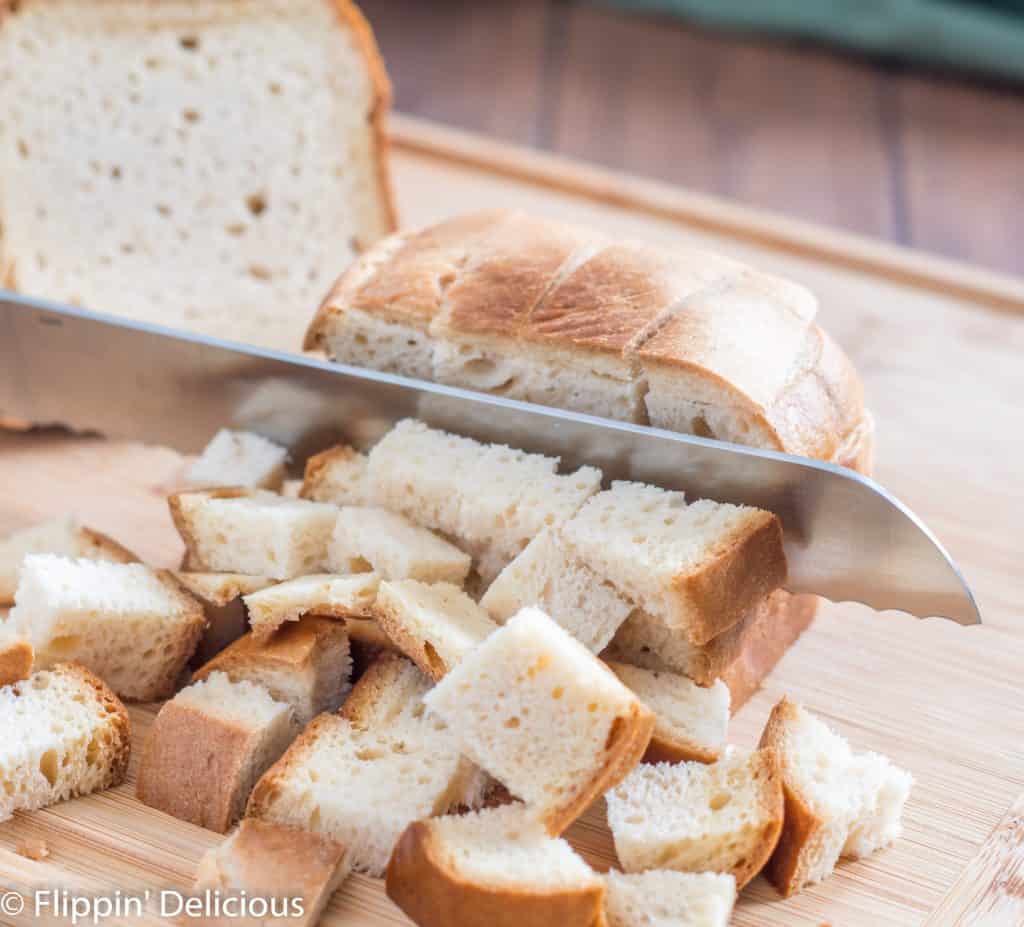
489	499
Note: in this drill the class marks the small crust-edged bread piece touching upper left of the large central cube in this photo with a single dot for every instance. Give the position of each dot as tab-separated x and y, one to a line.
434	625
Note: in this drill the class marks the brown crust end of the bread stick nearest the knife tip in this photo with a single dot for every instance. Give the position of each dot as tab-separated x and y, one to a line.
747	567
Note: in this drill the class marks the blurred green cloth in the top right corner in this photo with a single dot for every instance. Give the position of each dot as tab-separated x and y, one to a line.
975	35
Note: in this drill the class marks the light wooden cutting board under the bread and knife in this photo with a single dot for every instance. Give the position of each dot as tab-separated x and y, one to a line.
941	348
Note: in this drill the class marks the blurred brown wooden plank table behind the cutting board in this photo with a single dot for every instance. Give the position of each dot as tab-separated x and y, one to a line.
930	161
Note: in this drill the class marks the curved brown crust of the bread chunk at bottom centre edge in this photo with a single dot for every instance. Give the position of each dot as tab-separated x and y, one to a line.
424	884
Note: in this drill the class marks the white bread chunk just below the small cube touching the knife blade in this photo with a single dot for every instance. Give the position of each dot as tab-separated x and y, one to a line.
252	531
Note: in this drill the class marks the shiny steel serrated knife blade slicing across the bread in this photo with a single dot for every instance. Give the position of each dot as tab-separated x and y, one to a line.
847	538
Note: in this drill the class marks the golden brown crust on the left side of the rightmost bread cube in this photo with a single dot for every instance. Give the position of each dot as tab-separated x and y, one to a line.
787	869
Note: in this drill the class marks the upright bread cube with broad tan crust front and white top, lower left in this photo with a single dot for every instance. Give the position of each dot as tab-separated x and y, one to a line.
207	748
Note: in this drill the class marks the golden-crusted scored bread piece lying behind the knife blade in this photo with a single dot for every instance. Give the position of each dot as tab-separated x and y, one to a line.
533	310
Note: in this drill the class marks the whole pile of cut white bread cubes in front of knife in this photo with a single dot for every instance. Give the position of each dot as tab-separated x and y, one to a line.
425	663
